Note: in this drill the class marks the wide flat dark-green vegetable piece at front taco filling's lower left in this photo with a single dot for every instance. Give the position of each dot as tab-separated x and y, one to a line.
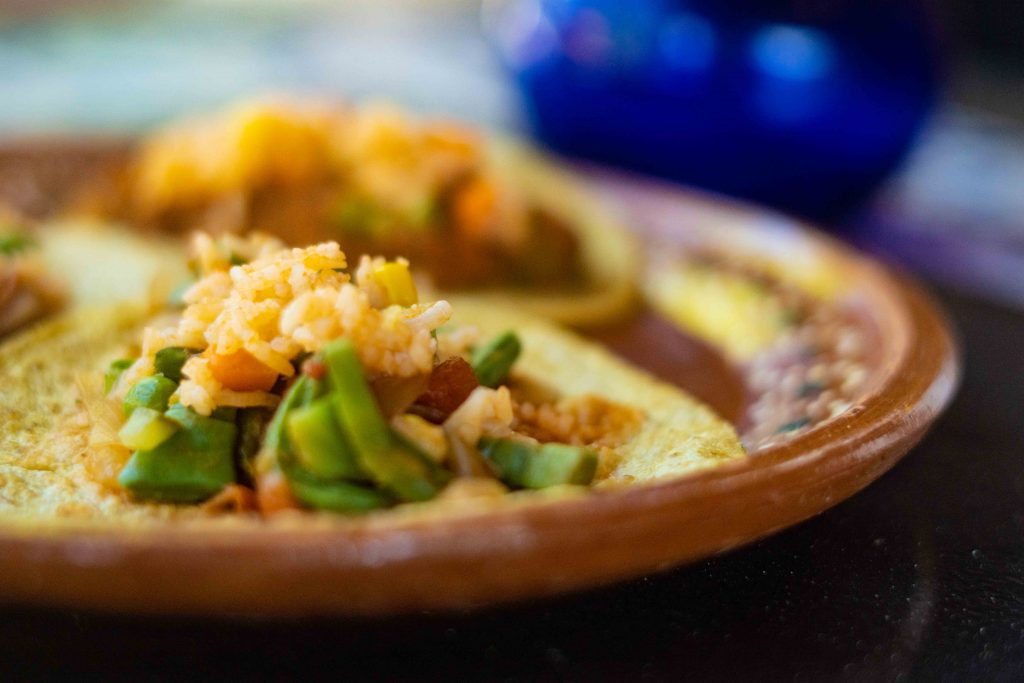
194	464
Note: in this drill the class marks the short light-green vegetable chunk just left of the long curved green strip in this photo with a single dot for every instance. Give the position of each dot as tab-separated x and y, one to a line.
319	444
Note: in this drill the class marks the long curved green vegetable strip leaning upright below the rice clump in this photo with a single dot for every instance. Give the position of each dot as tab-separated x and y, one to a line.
388	461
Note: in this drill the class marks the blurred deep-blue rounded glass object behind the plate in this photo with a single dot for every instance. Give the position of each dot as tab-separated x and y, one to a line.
806	106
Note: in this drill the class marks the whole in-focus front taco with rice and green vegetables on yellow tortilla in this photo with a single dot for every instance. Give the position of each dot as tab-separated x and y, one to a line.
295	381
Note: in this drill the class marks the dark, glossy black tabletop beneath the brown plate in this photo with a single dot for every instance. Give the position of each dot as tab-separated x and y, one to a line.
921	577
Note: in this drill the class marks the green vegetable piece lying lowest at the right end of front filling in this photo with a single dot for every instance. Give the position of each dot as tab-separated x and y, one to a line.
540	466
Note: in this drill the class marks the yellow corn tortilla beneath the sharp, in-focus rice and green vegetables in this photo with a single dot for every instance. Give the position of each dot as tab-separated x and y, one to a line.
45	431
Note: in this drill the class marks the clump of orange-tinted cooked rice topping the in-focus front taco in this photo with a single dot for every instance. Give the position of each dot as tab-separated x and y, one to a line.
283	304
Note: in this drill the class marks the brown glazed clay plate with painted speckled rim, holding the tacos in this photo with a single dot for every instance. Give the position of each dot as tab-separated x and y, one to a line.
862	365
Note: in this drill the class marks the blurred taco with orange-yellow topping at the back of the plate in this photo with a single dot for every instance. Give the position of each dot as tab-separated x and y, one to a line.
475	215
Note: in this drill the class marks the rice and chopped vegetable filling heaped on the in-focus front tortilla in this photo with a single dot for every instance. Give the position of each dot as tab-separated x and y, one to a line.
292	379
